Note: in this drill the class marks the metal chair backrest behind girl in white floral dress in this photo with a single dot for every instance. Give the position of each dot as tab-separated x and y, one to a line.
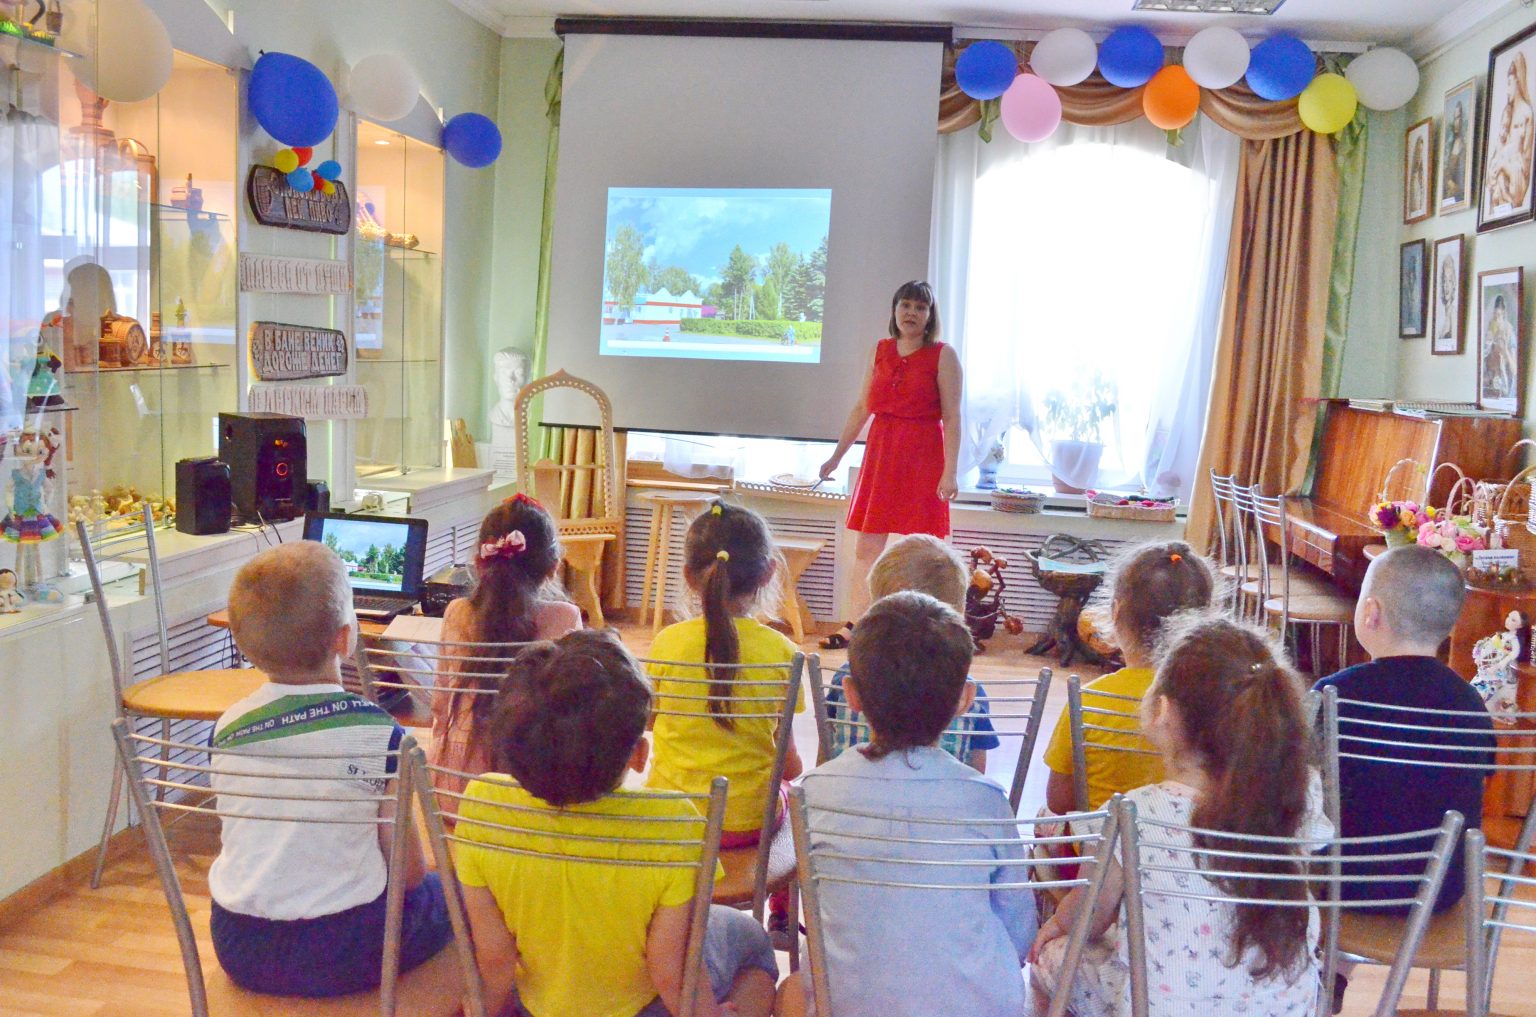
1147	843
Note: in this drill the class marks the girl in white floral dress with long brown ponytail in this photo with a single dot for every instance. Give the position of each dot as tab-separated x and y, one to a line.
1226	714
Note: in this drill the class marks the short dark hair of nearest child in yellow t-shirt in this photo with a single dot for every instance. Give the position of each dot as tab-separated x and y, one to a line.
569	717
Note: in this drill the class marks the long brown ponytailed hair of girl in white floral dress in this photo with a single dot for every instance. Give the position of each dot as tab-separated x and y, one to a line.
1239	704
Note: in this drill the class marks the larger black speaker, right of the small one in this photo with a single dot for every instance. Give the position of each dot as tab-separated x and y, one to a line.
268	465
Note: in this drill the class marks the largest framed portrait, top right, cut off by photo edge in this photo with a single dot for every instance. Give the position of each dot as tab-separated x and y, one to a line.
1509	134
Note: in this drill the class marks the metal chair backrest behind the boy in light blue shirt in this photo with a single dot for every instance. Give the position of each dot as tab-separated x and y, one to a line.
830	852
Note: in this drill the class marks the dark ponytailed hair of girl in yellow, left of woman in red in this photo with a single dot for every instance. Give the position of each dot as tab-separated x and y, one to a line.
729	557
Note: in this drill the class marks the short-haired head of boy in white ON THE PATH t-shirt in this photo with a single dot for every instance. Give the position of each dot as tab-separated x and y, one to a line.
288	605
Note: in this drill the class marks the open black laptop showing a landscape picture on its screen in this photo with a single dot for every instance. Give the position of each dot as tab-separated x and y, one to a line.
385	558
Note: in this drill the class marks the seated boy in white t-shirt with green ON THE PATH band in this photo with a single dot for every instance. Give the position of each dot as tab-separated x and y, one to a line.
299	907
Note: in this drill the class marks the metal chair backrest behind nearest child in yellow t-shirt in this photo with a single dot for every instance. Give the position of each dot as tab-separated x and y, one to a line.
697	844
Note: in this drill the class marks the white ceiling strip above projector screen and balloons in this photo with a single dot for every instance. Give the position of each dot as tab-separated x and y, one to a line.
1420	25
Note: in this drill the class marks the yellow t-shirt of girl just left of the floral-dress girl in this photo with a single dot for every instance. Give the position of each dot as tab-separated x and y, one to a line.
1110	774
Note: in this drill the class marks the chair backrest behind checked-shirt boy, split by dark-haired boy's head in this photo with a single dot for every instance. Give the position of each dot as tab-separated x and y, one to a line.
1015	707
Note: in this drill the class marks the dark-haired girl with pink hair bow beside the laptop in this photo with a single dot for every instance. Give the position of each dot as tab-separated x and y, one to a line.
518	555
